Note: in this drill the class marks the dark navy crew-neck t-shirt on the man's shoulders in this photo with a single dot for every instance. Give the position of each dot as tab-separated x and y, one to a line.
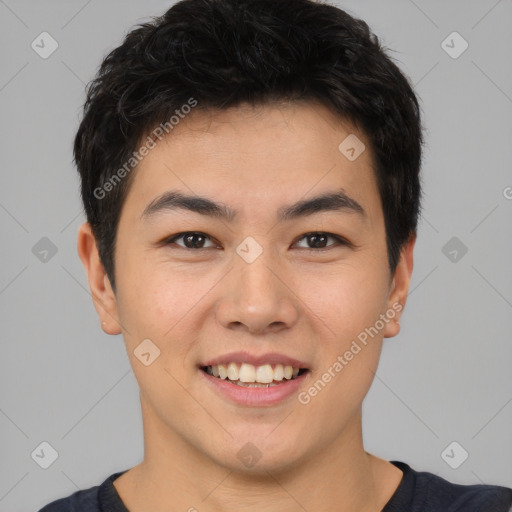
417	492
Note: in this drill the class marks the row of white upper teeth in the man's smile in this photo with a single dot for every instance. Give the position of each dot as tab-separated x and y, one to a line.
245	372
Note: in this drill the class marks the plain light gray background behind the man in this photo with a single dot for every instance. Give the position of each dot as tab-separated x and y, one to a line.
445	378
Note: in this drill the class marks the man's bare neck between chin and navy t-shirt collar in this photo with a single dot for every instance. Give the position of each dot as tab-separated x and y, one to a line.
341	477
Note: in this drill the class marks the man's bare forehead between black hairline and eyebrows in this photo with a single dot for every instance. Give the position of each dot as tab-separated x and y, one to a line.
257	158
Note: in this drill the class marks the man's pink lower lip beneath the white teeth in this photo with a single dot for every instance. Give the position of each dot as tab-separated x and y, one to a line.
255	397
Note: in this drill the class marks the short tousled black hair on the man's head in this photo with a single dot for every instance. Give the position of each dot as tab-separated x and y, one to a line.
217	54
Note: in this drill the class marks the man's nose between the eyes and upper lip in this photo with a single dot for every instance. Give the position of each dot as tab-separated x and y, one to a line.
257	297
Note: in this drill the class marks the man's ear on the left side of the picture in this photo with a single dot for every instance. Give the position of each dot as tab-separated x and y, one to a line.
104	298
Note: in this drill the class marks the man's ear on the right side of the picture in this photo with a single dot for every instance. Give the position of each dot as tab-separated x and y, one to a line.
400	287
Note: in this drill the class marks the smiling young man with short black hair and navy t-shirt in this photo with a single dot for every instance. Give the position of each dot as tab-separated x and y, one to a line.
250	175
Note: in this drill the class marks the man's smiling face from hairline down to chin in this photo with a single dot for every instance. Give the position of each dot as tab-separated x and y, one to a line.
269	284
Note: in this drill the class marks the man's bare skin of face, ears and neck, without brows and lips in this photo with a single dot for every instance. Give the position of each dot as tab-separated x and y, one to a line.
305	304
